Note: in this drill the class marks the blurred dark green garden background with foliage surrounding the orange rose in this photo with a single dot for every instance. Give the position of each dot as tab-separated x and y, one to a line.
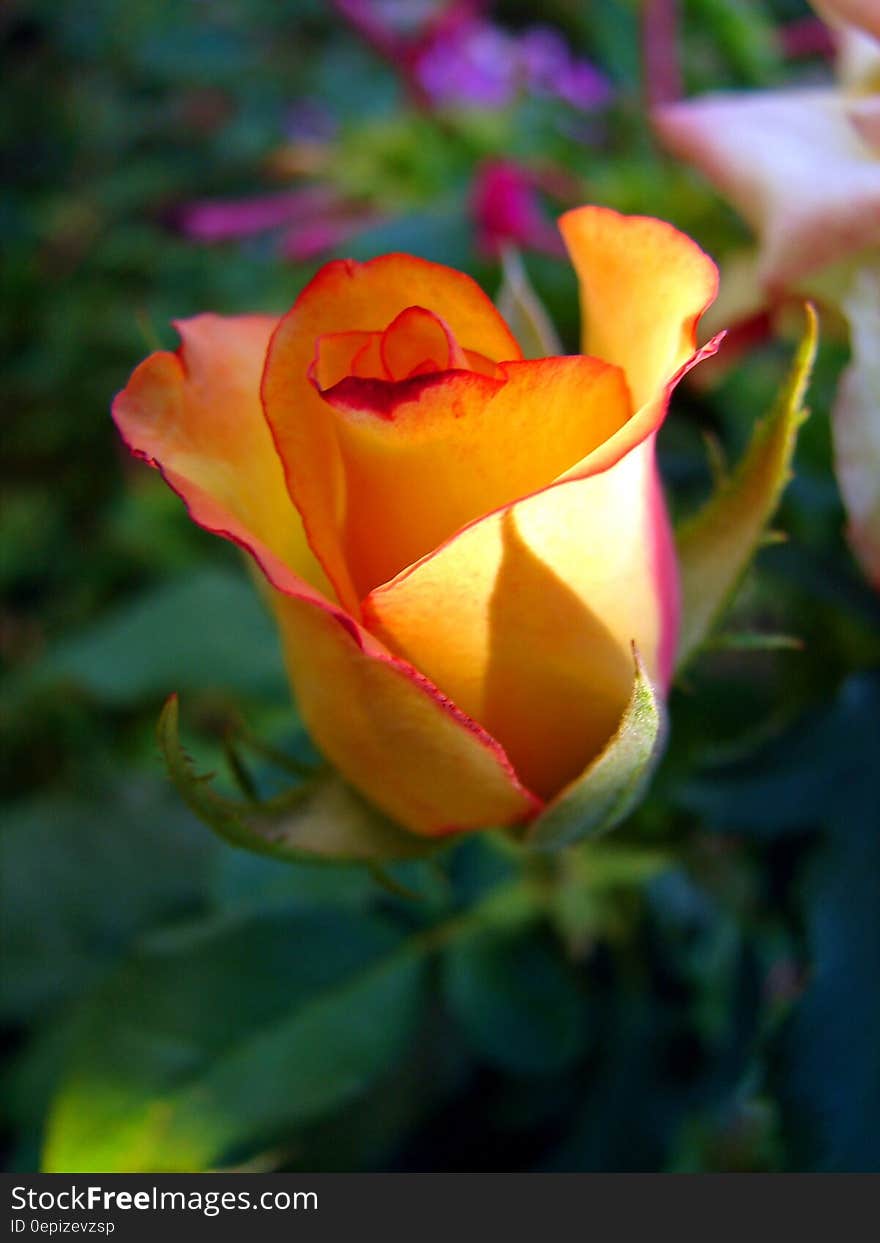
705	991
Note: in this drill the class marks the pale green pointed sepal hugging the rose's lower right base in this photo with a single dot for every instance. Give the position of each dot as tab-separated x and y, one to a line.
615	782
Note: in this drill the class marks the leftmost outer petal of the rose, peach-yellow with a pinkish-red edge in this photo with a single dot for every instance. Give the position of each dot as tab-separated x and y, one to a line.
197	416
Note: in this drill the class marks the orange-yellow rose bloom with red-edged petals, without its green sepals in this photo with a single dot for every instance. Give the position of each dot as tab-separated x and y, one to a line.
463	545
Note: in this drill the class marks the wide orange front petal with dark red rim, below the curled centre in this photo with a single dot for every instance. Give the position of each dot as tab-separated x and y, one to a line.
426	457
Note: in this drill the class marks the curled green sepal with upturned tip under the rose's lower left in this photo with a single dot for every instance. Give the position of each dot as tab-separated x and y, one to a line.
320	820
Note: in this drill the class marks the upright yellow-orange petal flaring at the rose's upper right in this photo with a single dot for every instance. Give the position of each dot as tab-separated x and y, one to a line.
643	289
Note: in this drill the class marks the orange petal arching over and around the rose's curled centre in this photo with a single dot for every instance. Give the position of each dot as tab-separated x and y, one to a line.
356	298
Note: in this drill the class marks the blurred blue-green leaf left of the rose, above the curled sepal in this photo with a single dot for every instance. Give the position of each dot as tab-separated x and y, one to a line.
204	631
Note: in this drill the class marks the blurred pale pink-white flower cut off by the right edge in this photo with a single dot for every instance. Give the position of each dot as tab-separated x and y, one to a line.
802	166
